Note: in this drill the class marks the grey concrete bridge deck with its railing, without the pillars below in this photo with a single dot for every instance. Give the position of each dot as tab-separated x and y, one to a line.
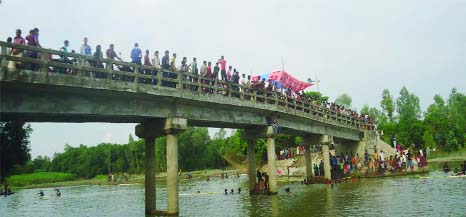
60	92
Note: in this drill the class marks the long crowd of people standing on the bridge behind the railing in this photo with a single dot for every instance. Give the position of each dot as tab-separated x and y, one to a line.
209	77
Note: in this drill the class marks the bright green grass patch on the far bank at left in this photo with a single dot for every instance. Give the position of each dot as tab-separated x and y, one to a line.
39	178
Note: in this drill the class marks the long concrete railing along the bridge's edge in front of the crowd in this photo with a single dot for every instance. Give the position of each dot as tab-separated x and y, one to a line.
52	62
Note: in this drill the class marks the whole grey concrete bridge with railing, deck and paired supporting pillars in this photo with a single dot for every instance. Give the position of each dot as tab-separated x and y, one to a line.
164	103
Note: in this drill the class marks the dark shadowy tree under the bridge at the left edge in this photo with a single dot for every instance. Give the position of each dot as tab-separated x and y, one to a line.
14	146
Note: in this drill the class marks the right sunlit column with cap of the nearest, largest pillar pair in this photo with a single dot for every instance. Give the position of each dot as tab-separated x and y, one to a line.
172	127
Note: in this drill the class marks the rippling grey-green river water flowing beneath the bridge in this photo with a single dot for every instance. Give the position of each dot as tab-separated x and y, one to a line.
433	194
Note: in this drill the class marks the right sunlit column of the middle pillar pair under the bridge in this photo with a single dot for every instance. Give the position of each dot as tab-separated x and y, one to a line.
271	161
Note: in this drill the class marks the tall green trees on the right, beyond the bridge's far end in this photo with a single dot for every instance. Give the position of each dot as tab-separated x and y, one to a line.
443	127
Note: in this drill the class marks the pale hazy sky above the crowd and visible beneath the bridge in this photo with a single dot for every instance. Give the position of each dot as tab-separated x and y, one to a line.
357	47
